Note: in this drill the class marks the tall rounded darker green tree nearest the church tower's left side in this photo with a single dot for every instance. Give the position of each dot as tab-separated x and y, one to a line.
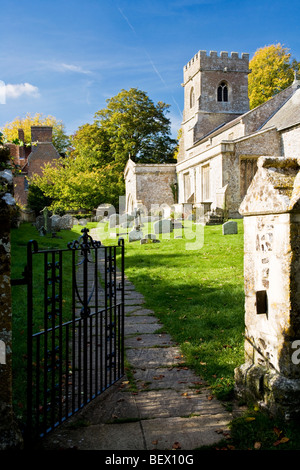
136	127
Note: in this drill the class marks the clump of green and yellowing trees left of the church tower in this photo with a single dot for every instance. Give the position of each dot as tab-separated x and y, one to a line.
92	174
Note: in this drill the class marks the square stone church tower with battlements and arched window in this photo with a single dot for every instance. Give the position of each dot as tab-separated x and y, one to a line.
215	92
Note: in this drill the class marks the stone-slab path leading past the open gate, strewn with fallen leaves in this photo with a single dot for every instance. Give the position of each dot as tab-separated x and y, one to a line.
172	408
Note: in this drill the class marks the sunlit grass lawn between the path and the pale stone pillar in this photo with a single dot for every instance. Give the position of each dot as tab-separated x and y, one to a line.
196	290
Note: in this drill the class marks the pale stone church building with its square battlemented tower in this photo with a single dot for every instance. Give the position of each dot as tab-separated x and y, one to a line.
221	140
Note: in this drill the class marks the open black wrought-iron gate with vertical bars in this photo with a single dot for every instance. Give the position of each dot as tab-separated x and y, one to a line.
75	328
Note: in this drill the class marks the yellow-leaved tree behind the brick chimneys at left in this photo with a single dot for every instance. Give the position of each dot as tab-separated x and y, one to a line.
59	138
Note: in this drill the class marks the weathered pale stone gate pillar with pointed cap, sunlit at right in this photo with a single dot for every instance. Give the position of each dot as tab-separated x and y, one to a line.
270	375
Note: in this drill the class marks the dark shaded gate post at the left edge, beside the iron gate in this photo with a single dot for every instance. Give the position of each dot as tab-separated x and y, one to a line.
10	437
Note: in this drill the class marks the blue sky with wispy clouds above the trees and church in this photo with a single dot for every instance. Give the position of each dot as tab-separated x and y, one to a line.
66	58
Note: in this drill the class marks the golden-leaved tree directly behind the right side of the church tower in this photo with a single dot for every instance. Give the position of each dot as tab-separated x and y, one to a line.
272	70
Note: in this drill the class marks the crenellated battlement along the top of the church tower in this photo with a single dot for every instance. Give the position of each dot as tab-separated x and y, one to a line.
226	62
